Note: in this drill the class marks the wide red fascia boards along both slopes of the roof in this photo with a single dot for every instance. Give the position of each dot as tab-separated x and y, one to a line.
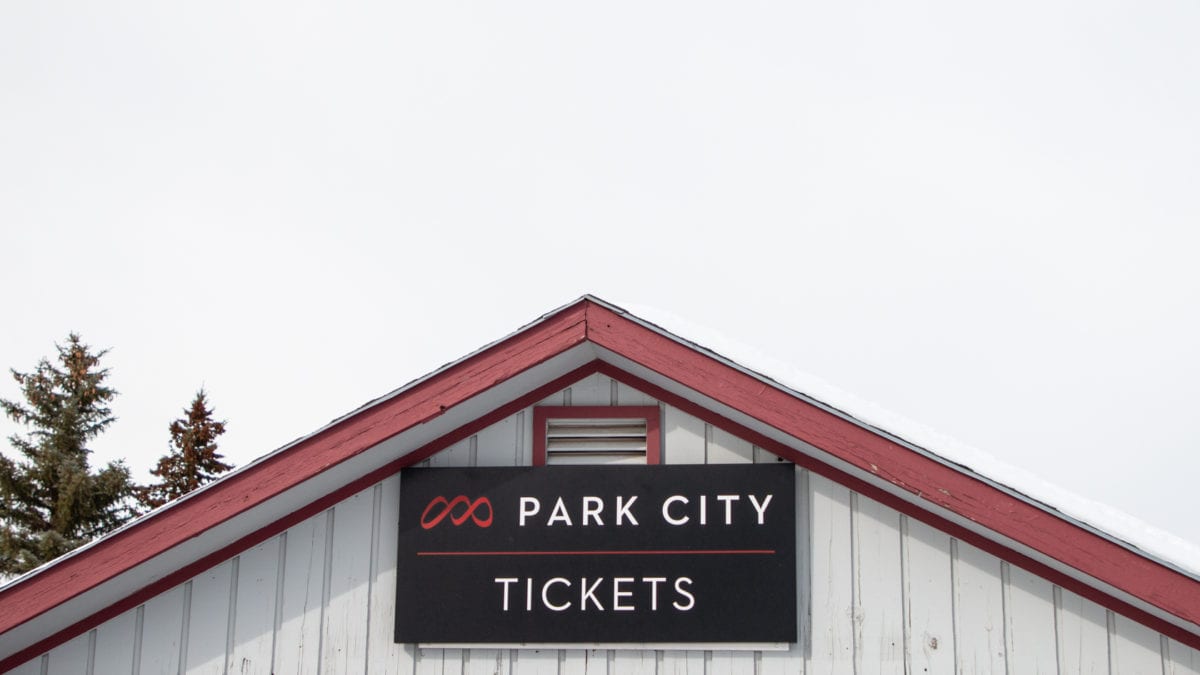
587	319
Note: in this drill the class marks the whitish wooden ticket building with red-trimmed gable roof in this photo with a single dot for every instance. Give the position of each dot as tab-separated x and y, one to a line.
904	563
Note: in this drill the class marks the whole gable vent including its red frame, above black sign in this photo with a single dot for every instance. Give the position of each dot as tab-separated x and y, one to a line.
597	435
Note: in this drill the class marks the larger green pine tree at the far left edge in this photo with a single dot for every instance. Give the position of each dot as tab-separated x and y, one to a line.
52	503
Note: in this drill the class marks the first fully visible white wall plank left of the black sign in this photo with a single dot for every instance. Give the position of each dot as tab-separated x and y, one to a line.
345	641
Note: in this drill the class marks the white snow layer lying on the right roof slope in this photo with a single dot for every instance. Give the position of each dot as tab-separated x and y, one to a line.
1169	548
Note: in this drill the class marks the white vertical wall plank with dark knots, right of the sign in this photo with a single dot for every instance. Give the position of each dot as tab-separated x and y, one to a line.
929	599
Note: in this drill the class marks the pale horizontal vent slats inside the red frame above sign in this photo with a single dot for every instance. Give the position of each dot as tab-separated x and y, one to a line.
587	441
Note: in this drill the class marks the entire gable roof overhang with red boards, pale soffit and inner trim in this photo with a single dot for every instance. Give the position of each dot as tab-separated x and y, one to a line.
172	545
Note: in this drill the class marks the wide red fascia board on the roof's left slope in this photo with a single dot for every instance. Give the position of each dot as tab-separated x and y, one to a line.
413	404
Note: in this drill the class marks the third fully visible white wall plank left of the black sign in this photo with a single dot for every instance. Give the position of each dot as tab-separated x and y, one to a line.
255	610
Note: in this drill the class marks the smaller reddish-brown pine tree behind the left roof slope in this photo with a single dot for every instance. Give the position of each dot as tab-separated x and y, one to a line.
194	459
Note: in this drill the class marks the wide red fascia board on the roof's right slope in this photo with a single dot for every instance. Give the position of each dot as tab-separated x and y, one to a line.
908	468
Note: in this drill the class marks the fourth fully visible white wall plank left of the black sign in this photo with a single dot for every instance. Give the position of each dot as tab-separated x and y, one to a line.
208	624
